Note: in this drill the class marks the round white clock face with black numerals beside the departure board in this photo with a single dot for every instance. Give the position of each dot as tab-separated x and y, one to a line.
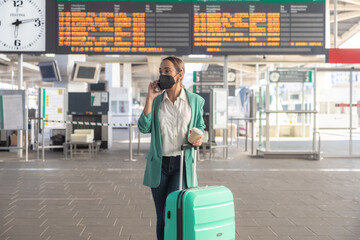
22	25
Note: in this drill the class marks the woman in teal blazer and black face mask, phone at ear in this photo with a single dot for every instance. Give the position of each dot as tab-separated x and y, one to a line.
169	116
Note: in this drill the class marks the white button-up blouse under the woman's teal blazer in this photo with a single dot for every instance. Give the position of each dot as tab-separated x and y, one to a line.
174	123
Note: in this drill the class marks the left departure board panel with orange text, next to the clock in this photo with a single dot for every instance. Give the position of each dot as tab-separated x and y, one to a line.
116	27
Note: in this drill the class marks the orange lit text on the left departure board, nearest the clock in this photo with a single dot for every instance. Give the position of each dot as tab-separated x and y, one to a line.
104	32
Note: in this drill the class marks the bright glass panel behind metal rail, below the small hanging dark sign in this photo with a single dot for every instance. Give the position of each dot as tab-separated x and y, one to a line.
290	129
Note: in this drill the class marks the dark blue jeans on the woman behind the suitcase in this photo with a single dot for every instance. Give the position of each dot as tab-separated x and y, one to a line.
169	182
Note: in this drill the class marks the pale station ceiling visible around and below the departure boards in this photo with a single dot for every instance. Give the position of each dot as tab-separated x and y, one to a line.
145	68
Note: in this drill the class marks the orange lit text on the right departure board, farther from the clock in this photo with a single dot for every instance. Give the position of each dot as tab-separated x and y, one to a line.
252	29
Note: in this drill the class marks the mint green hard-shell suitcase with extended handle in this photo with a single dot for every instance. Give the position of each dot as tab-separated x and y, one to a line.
199	213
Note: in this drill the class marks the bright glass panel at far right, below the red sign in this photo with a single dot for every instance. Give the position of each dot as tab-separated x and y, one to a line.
334	113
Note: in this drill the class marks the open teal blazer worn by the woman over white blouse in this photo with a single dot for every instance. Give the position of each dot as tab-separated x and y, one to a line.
150	124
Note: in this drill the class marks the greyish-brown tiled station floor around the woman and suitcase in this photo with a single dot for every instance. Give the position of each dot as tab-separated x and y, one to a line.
104	198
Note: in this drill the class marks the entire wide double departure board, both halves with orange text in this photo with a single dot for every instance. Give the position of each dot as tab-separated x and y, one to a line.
178	27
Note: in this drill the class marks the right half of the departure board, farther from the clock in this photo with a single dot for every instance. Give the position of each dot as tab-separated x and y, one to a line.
258	27
